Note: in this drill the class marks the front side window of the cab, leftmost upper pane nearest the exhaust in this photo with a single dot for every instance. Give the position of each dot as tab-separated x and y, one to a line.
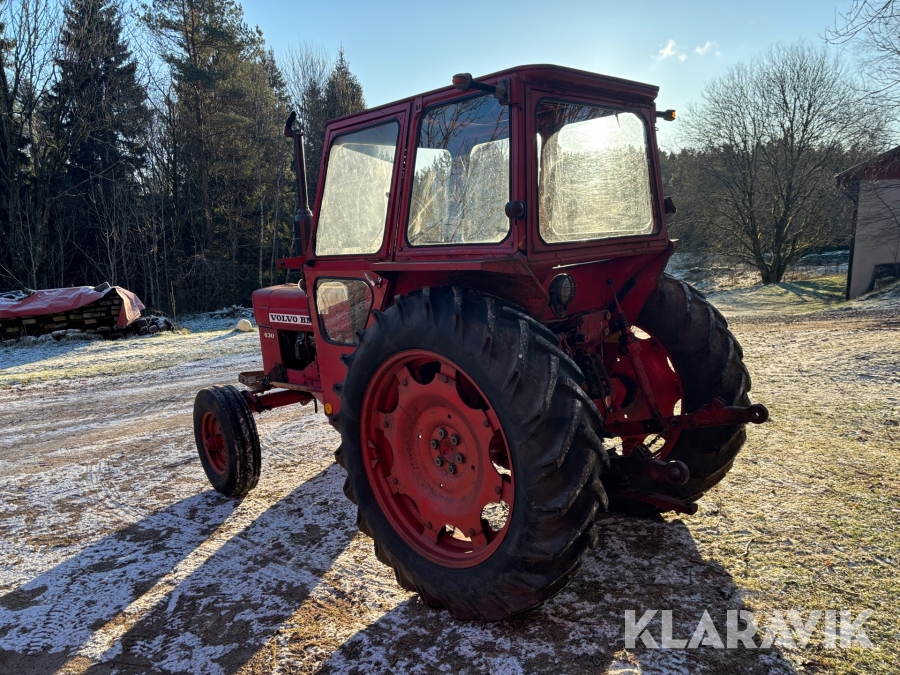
357	191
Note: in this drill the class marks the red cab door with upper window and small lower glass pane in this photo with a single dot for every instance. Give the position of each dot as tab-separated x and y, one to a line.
355	218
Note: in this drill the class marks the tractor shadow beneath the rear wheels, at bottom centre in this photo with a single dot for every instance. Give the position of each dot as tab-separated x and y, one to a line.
640	564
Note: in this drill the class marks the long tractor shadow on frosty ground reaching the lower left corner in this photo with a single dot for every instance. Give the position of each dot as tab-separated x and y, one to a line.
226	593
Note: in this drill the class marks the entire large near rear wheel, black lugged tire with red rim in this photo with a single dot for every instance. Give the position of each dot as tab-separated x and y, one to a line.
471	453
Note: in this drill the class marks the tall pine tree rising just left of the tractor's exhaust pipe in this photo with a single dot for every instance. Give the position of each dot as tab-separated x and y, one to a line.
229	111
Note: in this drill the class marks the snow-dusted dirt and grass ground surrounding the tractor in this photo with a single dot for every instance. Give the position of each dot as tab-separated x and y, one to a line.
117	557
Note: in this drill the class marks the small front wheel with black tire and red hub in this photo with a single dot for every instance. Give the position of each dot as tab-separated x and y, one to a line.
227	440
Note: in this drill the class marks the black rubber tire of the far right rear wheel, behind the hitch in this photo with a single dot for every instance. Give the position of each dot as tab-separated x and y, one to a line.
708	359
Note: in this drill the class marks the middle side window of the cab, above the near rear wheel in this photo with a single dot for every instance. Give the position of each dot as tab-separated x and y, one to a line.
461	175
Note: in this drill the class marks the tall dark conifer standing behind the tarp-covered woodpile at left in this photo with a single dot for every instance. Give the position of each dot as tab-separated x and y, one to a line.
100	114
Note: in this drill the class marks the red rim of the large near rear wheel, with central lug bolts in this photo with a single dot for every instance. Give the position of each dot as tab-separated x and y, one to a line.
437	459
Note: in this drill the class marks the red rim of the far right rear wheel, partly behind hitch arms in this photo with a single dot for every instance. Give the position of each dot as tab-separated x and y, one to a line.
628	403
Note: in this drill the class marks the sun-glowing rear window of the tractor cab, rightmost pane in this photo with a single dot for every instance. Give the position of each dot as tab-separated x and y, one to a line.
593	173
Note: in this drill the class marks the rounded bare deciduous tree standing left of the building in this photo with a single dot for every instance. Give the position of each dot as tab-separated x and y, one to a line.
774	132
